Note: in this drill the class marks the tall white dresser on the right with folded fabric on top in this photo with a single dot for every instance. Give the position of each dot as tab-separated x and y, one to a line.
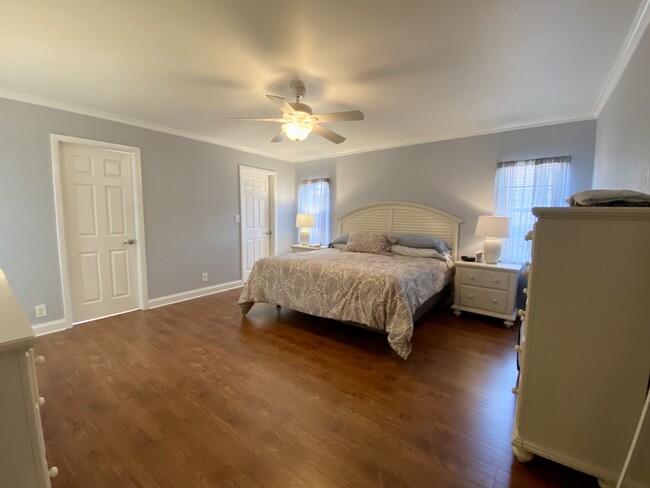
585	341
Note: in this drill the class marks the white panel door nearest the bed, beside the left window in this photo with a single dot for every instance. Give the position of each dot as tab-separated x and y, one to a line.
256	218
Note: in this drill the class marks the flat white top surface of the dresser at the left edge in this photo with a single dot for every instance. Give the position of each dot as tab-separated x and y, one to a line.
15	330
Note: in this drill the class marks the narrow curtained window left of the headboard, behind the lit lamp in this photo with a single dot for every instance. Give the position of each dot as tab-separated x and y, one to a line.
314	198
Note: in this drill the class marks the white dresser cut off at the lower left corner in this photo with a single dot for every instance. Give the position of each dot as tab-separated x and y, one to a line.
22	449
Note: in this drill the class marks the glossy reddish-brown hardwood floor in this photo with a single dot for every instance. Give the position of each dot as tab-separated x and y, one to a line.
191	395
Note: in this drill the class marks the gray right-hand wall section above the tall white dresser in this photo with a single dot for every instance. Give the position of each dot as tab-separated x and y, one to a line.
623	137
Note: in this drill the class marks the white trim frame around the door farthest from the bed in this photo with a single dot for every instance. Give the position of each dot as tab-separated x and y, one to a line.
56	141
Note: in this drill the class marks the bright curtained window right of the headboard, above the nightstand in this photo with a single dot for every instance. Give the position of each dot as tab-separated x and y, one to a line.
522	185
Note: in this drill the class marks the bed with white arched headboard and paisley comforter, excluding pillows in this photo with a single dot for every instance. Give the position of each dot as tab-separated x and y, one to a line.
385	293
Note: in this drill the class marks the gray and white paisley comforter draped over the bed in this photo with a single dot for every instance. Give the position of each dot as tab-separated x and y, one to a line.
381	292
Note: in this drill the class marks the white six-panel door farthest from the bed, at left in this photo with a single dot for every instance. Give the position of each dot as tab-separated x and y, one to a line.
100	231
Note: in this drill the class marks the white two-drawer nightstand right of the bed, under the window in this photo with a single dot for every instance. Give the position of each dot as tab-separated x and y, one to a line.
488	289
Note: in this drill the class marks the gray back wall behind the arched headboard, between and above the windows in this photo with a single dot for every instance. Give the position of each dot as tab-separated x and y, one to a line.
456	176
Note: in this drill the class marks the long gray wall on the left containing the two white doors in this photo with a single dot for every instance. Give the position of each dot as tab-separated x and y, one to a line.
190	191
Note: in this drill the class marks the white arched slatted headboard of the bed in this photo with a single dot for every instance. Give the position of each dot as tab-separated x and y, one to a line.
402	218
